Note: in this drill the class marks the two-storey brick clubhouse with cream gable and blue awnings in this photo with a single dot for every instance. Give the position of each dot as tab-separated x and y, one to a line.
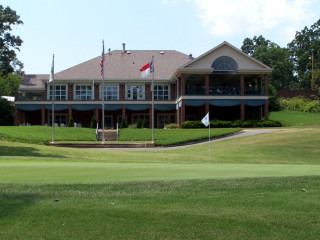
223	81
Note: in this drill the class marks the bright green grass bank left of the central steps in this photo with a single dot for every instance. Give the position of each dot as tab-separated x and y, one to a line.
42	135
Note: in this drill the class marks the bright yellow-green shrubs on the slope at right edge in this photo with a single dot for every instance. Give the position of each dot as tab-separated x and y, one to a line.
300	104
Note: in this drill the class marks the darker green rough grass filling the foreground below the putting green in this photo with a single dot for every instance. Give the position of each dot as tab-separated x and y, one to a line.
258	208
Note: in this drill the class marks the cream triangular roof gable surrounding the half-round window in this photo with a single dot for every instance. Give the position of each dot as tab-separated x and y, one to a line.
244	62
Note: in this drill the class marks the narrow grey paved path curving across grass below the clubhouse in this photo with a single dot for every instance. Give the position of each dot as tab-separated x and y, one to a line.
243	133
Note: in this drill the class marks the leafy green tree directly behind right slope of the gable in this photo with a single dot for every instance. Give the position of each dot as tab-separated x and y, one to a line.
271	54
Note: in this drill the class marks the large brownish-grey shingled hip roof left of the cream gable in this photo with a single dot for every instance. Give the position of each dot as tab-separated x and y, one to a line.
119	65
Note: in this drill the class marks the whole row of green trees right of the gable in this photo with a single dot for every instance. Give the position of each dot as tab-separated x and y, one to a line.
292	65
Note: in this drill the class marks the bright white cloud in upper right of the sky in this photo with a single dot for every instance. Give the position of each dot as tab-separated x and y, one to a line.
229	18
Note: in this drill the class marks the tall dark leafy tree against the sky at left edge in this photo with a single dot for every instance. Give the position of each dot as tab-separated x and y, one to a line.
9	43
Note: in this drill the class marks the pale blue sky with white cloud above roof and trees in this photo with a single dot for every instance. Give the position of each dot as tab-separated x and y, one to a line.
73	30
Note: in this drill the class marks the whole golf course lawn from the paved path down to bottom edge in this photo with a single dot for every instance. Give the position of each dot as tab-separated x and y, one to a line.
265	186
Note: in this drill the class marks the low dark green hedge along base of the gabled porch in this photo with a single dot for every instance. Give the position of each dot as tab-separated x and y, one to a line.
232	124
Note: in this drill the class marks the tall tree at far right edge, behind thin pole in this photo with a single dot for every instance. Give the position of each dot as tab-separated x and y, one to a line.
300	50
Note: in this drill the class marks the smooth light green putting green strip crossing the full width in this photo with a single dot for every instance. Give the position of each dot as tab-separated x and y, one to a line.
61	172
